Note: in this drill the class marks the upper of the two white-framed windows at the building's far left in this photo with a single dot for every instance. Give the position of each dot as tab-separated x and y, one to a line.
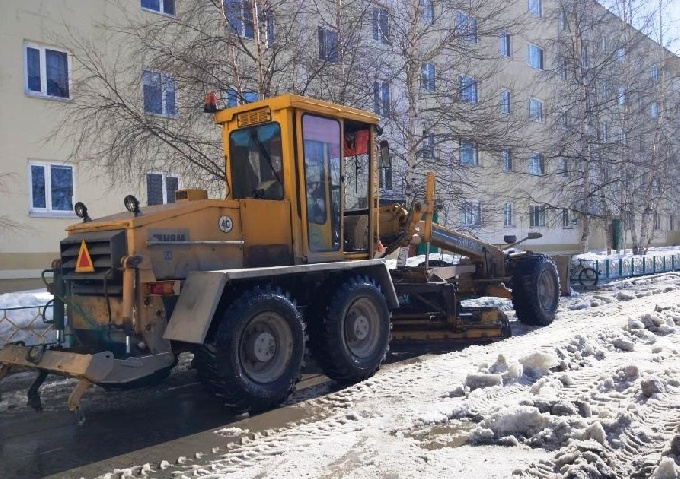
47	71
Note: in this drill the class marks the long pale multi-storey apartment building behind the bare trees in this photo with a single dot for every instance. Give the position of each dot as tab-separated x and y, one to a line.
489	78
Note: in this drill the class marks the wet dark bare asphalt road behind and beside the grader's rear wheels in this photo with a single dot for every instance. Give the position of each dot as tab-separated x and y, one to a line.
175	419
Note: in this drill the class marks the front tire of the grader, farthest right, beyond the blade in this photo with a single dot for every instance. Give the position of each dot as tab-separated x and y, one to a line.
535	290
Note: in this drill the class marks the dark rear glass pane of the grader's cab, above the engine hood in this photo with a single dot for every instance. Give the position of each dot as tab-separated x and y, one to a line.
255	161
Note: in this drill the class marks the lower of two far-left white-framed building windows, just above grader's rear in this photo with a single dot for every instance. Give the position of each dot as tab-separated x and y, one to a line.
51	188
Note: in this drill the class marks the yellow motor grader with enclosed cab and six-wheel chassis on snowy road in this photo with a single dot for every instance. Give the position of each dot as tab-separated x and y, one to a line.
292	258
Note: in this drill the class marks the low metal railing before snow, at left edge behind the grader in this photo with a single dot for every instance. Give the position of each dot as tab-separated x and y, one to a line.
29	324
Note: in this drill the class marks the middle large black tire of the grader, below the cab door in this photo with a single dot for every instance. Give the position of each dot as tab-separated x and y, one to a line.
350	335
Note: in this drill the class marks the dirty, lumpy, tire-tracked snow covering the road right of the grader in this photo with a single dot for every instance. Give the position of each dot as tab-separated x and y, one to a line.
594	395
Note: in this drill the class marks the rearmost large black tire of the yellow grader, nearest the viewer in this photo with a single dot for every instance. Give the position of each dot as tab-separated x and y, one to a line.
256	357
